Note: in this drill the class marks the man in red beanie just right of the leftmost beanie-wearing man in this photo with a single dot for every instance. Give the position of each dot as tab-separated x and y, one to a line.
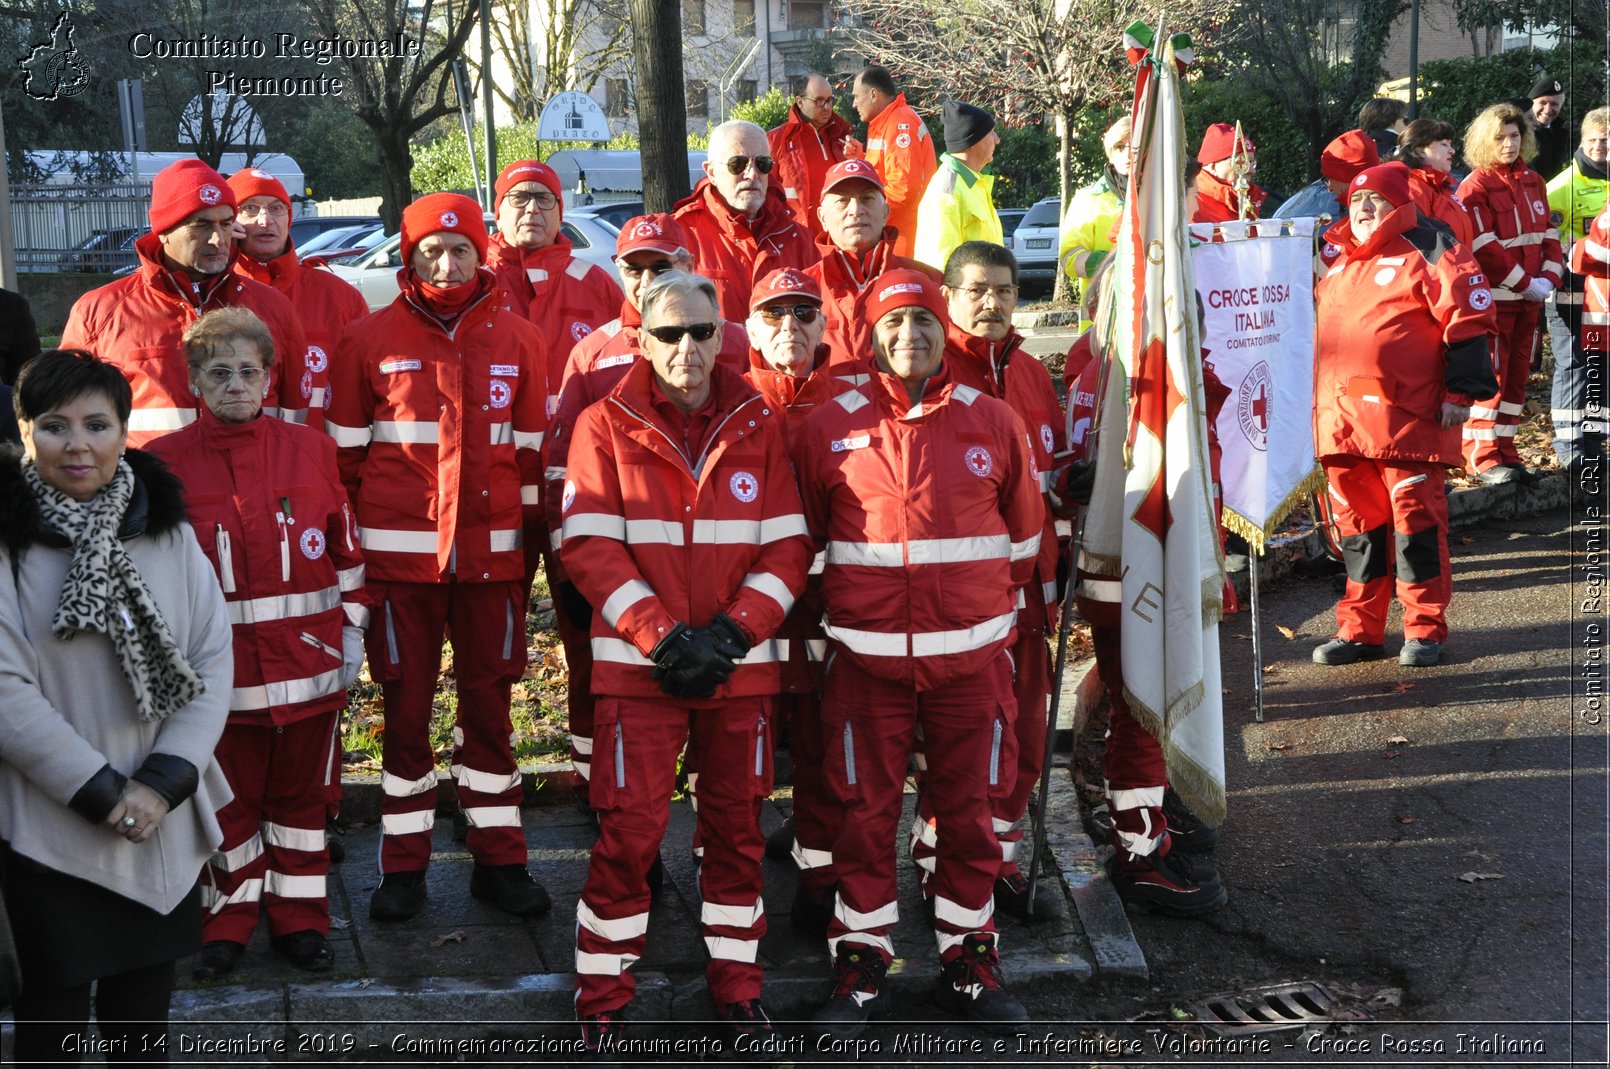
324	303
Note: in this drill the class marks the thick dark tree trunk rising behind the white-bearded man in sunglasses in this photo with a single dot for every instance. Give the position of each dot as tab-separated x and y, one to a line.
663	105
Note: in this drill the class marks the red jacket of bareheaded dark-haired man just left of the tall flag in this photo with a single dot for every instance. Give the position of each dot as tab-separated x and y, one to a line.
1004	371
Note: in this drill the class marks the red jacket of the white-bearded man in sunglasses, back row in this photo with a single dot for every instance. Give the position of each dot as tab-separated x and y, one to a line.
733	252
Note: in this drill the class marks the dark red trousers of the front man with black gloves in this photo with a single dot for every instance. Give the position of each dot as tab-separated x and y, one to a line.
635	774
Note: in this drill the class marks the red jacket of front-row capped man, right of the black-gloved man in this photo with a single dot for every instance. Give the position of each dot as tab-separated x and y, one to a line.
930	518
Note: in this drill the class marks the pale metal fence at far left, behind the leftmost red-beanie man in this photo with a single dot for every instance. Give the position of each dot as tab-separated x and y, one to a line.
68	228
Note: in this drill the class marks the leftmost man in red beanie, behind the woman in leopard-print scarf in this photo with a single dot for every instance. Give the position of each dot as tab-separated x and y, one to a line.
139	321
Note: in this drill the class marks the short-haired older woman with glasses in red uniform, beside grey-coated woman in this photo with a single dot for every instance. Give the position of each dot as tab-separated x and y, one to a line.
273	518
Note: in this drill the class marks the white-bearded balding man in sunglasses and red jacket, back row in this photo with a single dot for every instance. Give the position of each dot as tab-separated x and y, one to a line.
738	223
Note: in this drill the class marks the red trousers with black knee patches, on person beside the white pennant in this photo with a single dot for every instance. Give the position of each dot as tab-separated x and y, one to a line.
1410	500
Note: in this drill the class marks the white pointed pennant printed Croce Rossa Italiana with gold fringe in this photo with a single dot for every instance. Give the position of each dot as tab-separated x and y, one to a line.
1258	305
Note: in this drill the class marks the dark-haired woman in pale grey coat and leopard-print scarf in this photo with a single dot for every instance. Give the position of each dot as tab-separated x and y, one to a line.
115	680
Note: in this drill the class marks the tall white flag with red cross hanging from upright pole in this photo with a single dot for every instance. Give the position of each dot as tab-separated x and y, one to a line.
1152	521
